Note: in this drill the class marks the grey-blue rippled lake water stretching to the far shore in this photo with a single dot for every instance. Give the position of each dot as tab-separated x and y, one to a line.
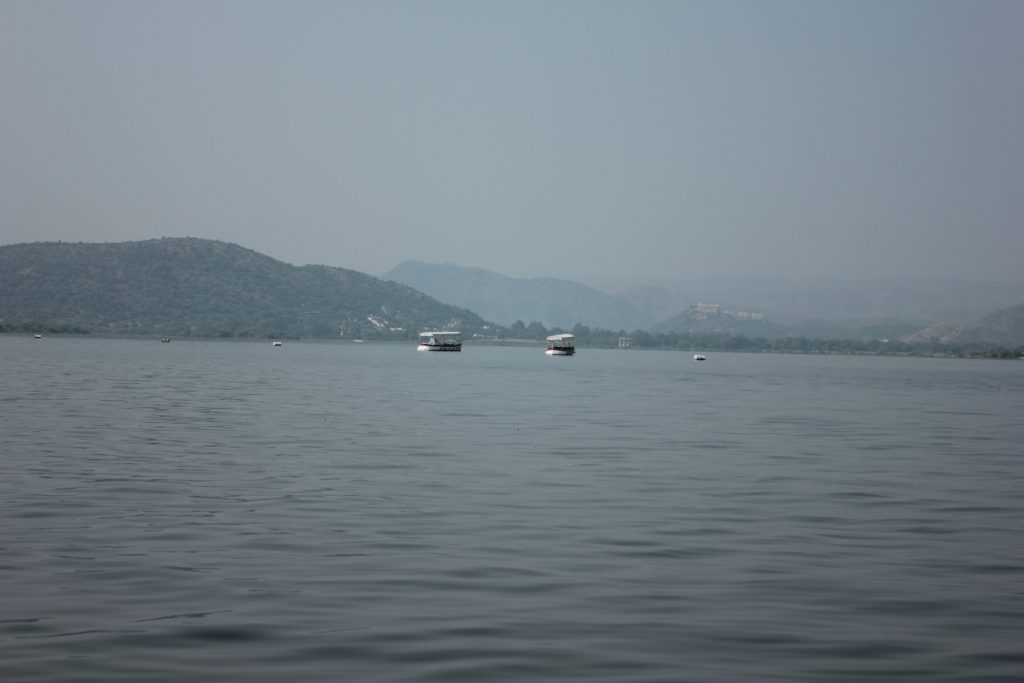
327	513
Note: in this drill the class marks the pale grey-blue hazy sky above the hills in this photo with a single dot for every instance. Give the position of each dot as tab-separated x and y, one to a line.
559	138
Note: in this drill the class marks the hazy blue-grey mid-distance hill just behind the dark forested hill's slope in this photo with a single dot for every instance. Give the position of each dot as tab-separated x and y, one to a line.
505	301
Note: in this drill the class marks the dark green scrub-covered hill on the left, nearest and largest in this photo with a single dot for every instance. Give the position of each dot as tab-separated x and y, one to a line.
194	287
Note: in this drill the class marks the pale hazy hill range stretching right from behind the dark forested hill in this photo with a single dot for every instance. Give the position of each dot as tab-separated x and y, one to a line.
759	308
